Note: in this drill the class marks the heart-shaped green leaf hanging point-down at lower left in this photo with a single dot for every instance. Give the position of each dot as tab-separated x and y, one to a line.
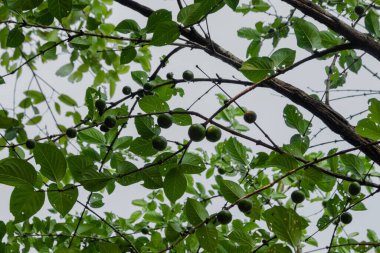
63	199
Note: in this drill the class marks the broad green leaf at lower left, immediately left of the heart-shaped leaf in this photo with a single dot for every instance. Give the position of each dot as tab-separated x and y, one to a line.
25	202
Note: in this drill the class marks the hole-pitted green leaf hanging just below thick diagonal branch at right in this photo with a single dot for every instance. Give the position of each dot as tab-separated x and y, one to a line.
294	119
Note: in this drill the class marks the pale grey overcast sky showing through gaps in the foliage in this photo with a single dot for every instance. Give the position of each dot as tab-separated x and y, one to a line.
265	102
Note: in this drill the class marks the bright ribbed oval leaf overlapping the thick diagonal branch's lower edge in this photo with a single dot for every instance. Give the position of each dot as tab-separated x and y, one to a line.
257	69
